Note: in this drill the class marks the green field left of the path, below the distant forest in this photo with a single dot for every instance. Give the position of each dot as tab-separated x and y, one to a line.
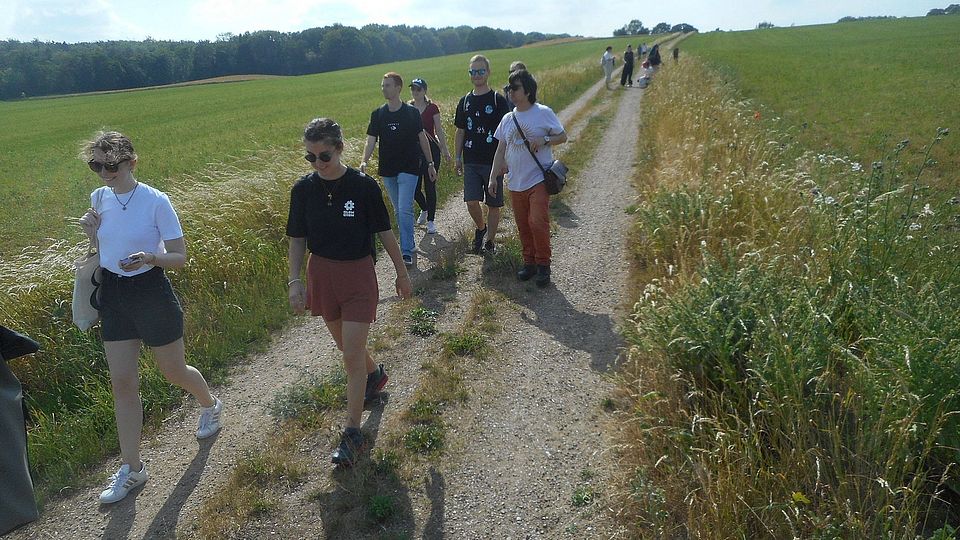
179	131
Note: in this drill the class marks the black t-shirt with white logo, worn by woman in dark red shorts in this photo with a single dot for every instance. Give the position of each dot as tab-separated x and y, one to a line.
343	229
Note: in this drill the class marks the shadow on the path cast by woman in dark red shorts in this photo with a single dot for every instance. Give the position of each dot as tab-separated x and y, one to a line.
370	493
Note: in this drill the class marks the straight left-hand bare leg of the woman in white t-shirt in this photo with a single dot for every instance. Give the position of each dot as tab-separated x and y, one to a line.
122	357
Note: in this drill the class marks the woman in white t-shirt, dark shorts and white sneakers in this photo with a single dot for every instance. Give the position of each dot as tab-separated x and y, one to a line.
137	233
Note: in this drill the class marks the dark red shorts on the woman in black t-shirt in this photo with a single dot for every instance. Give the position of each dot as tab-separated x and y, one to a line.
345	290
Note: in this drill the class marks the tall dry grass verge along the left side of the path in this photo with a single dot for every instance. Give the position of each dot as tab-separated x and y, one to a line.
233	212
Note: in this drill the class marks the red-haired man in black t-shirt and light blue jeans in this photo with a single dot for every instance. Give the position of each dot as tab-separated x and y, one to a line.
399	129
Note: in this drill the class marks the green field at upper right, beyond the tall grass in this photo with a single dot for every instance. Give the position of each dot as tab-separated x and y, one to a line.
851	84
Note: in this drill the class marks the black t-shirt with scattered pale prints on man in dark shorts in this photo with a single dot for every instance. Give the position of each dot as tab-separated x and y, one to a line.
478	117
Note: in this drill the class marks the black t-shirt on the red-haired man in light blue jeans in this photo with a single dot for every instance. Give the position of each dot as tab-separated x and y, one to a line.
399	136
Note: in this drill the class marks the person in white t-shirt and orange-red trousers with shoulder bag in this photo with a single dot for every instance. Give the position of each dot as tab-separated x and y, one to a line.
531	202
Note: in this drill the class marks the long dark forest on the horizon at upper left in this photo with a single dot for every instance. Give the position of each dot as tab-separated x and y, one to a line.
44	68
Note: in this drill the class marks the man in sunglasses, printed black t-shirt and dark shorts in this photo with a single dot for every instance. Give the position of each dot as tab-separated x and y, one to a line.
477	117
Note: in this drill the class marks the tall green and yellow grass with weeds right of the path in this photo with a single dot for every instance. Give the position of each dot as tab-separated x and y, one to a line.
794	353
